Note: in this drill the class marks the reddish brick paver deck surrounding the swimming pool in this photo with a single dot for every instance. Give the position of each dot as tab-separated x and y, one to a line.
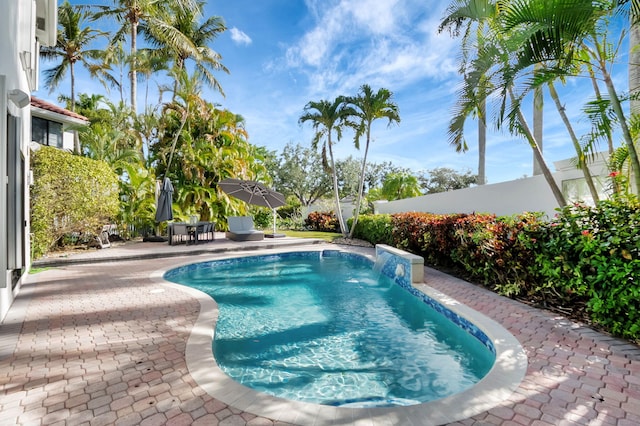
95	341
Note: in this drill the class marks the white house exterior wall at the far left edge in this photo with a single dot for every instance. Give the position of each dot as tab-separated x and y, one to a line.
18	78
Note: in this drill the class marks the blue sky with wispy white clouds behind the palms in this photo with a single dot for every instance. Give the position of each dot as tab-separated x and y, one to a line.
284	53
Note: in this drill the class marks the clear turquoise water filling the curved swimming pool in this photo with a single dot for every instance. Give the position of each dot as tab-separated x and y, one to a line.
333	330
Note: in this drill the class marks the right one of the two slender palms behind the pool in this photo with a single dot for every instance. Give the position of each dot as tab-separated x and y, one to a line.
368	107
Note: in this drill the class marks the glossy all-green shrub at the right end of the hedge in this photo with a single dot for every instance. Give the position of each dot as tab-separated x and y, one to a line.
591	256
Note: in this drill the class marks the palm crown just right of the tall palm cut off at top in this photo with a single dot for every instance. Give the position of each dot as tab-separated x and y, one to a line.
182	38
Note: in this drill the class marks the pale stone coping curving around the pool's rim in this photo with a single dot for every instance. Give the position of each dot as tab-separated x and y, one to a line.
502	380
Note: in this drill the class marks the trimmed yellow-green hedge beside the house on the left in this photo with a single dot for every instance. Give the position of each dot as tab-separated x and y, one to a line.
71	194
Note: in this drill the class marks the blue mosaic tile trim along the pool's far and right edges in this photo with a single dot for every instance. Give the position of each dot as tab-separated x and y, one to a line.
388	269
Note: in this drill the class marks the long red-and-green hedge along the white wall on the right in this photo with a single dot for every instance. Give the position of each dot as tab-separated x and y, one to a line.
585	262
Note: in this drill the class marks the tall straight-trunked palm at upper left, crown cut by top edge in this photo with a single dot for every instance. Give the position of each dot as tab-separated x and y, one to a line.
130	14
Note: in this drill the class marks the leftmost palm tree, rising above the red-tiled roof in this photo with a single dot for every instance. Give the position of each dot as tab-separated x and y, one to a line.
71	48
